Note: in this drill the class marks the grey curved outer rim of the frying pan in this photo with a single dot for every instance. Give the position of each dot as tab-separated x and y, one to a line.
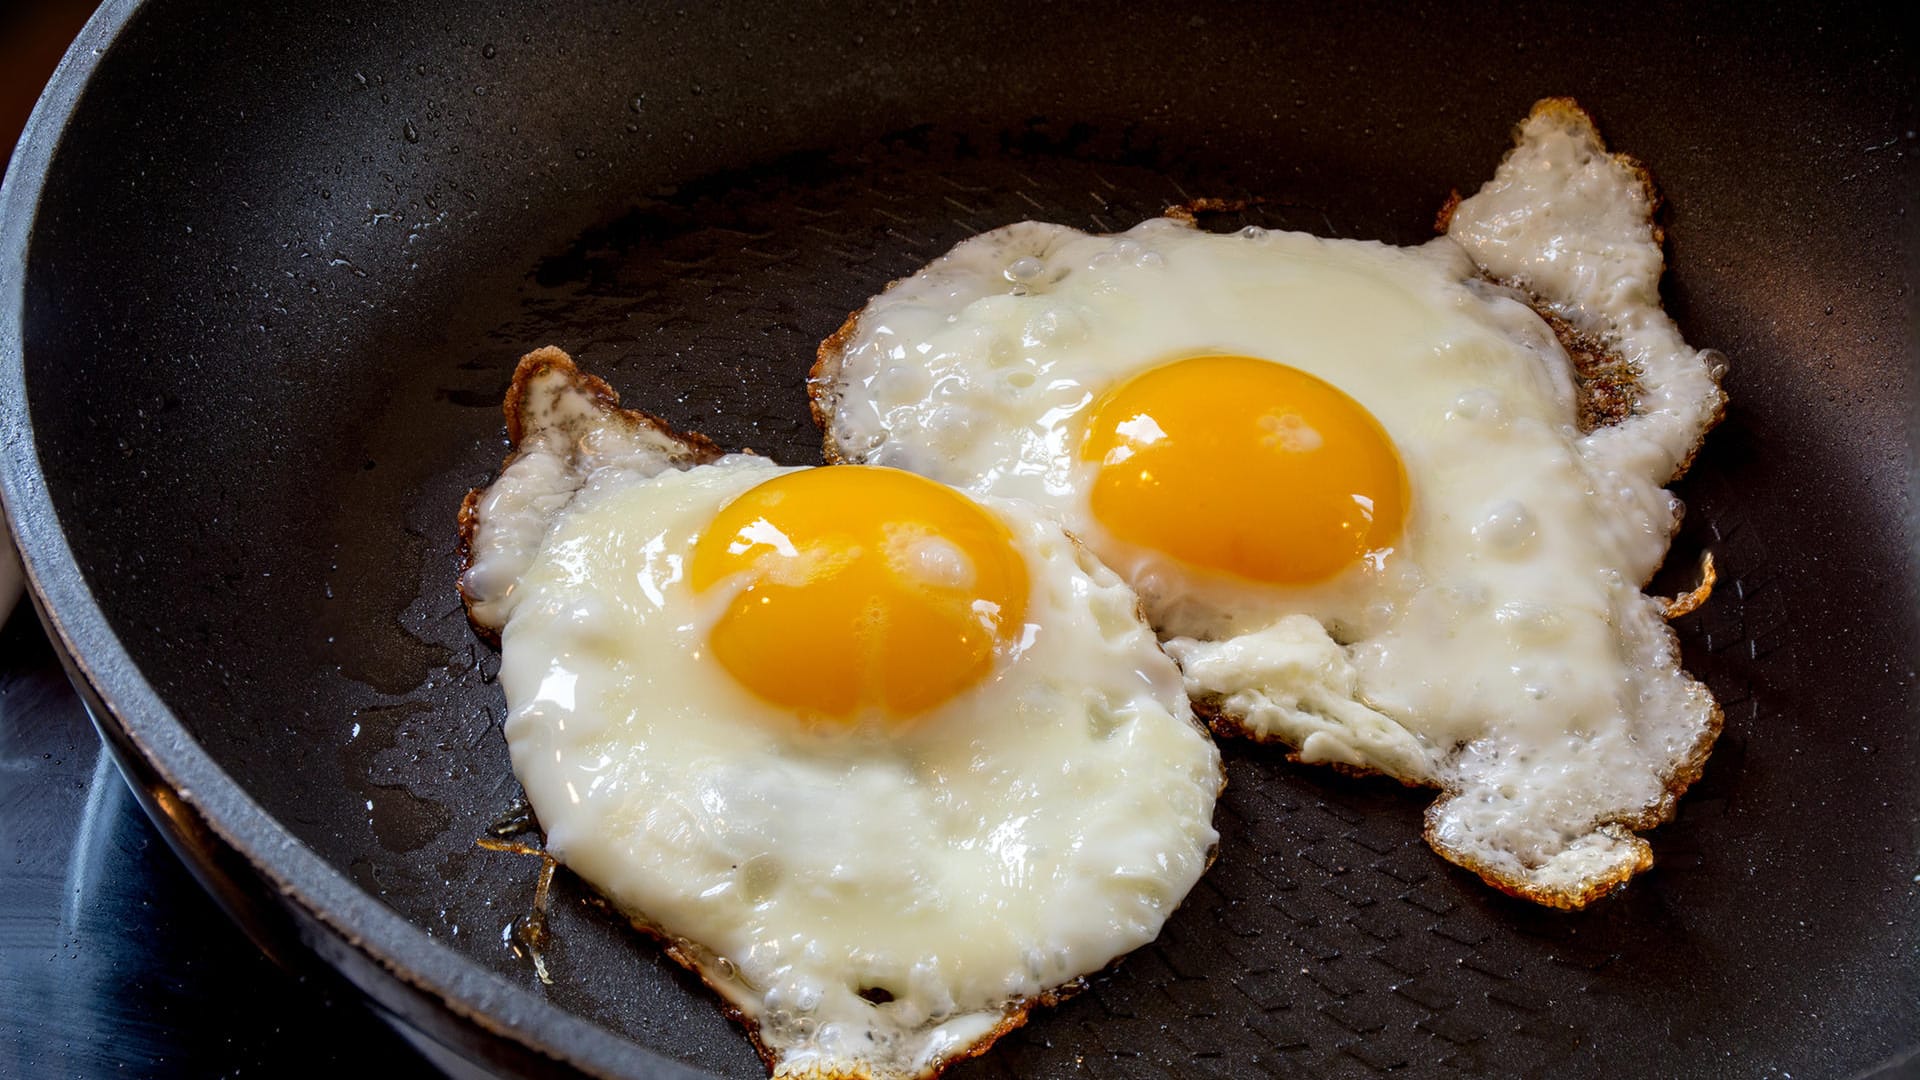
132	706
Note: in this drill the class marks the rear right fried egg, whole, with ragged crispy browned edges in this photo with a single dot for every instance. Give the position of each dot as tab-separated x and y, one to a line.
1353	483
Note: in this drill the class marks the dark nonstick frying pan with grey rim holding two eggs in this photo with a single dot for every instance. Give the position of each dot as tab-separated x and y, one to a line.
266	270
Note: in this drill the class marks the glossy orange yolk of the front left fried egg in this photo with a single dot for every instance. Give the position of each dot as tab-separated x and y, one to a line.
861	591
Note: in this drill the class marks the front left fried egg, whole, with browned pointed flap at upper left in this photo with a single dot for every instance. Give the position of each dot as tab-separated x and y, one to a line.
884	764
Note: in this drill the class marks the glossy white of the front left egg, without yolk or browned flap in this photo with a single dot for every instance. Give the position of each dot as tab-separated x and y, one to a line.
959	870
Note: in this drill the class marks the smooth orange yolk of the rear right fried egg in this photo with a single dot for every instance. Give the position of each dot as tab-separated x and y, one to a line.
1245	468
